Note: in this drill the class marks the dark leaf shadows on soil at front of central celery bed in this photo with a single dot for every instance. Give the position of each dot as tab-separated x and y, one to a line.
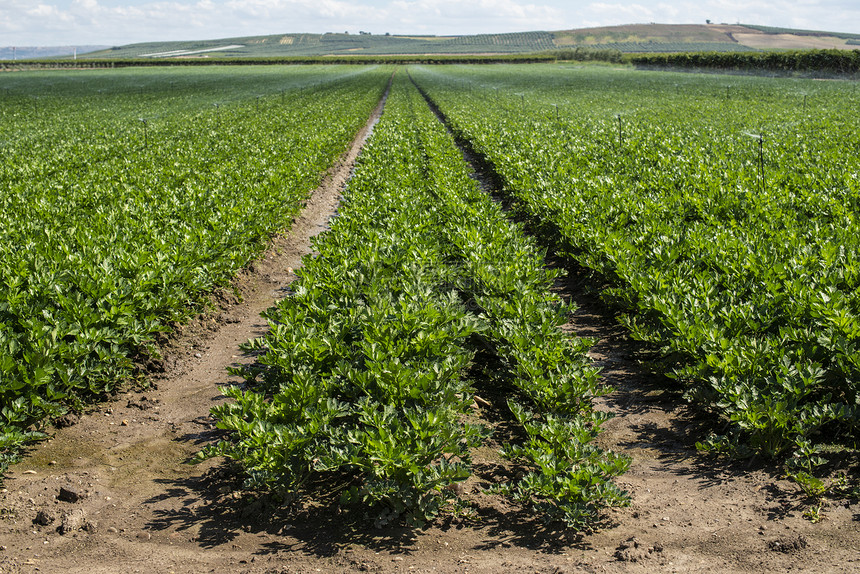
214	504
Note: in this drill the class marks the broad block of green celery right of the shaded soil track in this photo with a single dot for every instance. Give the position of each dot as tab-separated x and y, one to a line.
724	218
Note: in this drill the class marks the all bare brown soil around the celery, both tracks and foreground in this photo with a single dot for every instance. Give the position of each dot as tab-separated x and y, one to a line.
112	493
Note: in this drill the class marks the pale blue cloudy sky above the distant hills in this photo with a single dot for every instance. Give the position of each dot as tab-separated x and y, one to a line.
117	22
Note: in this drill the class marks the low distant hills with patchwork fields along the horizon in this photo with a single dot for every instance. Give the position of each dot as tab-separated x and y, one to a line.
630	38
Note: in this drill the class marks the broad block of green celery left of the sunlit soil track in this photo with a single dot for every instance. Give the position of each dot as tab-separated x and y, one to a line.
111	241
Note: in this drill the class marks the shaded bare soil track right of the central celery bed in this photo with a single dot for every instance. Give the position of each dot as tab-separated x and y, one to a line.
689	512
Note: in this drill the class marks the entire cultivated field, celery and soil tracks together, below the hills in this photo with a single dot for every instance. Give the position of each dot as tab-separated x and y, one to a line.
566	319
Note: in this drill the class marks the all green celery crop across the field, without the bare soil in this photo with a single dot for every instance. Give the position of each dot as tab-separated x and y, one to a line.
716	216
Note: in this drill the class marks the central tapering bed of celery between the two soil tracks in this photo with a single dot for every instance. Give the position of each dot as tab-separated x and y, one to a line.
367	373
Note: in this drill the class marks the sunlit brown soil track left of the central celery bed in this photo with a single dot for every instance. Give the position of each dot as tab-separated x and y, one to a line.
111	492
